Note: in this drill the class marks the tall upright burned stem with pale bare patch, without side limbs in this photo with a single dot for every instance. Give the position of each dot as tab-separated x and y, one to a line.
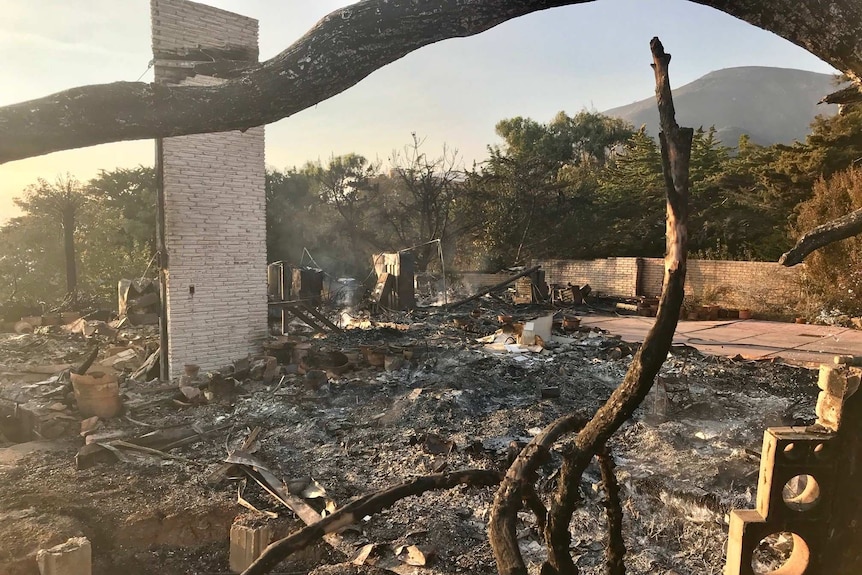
676	152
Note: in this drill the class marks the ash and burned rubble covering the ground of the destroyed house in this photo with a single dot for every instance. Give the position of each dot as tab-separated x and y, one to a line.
359	411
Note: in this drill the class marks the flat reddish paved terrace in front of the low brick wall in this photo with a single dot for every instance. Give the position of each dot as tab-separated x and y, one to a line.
751	339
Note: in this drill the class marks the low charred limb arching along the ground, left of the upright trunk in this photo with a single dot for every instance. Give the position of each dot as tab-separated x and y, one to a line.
368	505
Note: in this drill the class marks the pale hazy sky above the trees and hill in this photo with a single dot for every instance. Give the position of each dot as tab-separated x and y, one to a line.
593	56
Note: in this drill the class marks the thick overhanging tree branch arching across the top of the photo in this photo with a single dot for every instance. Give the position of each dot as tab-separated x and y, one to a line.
339	51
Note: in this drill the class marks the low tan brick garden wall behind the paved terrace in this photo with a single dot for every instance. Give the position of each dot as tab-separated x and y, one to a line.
754	285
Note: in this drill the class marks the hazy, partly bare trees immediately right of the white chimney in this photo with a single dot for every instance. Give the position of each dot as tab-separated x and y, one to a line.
344	211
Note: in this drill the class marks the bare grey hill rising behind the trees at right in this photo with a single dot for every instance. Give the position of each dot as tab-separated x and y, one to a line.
772	105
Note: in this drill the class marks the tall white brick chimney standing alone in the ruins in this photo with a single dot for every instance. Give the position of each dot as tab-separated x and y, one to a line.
214	207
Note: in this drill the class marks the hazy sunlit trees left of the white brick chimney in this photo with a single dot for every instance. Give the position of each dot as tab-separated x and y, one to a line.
109	224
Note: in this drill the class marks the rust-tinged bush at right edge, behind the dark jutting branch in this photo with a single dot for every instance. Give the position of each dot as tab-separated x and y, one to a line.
835	272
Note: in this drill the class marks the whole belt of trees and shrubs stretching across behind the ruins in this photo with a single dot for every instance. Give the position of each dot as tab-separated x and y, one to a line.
582	186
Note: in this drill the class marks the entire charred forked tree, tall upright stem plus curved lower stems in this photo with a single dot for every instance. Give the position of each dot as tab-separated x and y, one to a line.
676	150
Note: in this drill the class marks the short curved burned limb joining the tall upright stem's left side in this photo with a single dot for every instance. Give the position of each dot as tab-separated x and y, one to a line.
517	486
